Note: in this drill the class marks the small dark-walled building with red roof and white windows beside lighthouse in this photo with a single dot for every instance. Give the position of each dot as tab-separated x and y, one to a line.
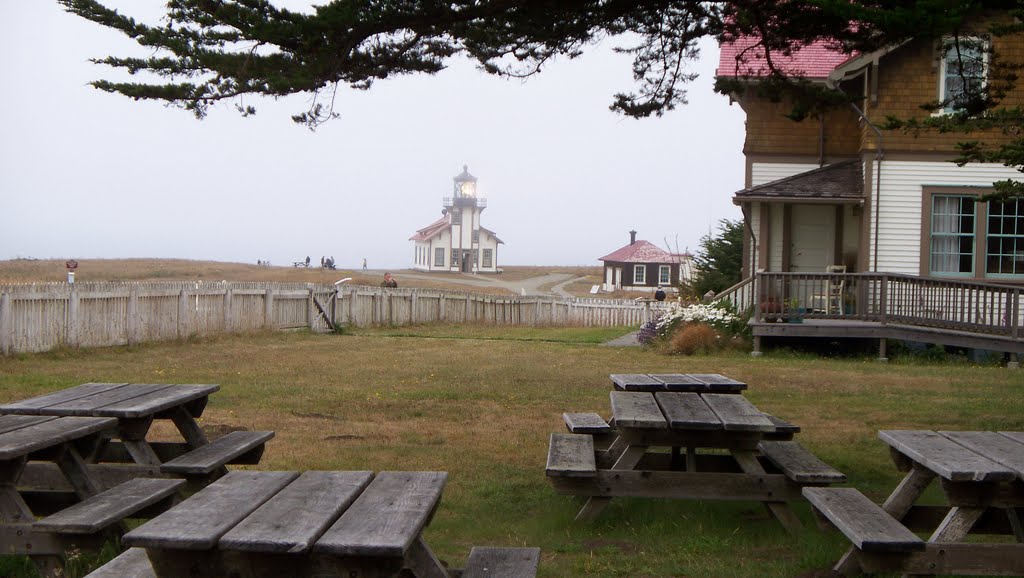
642	266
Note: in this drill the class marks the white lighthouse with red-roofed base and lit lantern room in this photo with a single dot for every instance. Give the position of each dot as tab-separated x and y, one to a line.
458	242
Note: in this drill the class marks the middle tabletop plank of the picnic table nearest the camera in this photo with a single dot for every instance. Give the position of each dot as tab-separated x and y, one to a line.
296	517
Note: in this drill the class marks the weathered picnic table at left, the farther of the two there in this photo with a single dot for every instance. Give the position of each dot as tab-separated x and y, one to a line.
136	406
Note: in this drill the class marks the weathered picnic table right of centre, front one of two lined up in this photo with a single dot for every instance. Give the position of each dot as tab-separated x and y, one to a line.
646	421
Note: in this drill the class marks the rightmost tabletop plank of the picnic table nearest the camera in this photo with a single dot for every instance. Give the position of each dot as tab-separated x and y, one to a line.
388	517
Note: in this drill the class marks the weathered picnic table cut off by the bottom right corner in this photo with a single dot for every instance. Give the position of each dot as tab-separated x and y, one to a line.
982	475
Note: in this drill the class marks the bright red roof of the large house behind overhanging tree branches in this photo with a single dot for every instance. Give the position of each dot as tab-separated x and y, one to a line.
816	61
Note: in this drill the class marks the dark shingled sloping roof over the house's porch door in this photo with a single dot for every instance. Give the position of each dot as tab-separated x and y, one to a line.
843	182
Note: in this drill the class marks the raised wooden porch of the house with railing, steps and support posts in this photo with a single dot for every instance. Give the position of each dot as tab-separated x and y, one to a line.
883	307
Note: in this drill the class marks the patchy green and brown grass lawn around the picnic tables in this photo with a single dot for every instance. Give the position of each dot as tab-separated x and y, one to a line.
481	402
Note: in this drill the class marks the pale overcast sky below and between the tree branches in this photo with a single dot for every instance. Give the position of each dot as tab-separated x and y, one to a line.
89	175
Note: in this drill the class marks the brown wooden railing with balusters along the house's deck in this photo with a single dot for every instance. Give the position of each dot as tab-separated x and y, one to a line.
890	299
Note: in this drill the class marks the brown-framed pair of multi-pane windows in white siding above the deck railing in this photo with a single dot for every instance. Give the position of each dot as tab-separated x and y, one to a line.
973	240
